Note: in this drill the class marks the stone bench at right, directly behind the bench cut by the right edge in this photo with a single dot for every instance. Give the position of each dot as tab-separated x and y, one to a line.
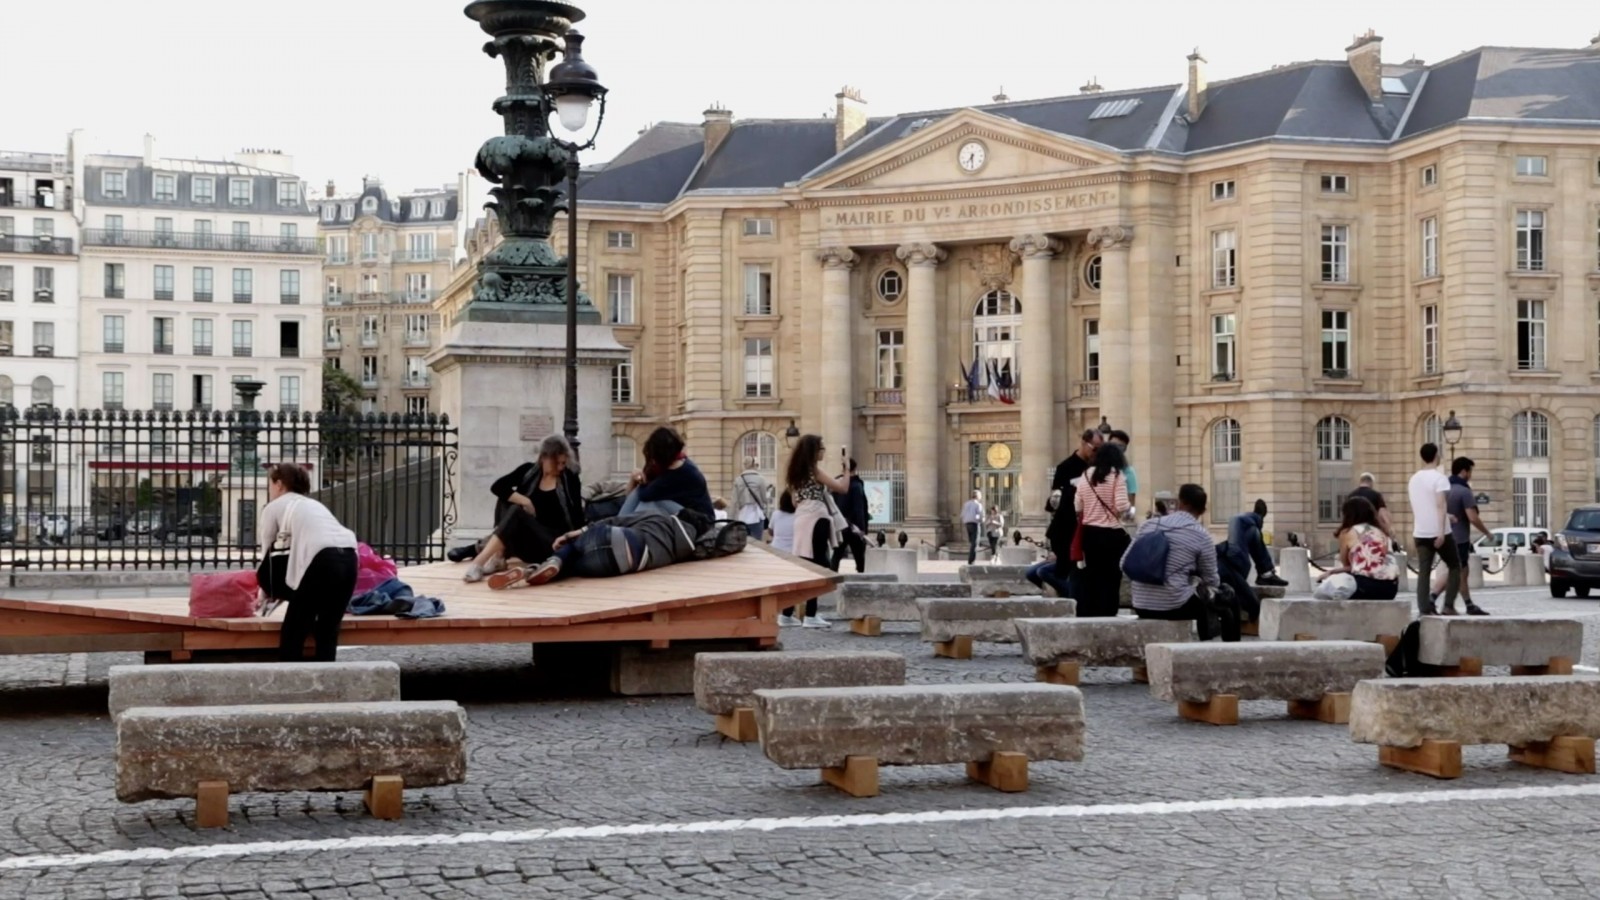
1532	646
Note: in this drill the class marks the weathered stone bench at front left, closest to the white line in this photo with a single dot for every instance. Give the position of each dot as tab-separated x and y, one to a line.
209	752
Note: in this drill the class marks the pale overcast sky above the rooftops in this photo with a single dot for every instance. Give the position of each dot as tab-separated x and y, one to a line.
401	89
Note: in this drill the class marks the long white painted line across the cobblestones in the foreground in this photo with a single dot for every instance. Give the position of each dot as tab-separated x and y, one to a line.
817	822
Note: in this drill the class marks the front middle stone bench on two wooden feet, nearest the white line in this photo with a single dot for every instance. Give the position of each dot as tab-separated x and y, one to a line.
847	733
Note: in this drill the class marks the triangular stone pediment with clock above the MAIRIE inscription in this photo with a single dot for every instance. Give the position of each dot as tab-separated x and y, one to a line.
930	156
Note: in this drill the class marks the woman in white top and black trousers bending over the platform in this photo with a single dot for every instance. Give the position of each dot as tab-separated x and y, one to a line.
318	574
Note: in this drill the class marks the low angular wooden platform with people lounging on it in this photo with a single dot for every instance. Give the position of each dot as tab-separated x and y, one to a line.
732	598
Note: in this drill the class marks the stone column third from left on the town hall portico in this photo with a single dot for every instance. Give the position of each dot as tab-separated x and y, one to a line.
1039	377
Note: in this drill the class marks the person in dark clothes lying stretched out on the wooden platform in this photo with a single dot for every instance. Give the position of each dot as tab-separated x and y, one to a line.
620	547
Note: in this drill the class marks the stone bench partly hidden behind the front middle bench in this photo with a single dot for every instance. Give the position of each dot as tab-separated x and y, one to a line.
726	685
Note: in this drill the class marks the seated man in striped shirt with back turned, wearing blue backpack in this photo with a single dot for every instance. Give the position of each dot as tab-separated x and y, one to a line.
1191	571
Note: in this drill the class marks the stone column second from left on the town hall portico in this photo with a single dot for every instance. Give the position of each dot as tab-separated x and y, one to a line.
922	390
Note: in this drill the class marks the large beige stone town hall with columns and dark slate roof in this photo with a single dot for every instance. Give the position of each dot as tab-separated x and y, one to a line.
1273	283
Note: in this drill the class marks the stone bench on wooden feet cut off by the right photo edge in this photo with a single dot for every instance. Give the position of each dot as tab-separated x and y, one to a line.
1422	723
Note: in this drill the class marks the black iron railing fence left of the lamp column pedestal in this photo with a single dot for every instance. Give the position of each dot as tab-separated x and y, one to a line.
111	489
